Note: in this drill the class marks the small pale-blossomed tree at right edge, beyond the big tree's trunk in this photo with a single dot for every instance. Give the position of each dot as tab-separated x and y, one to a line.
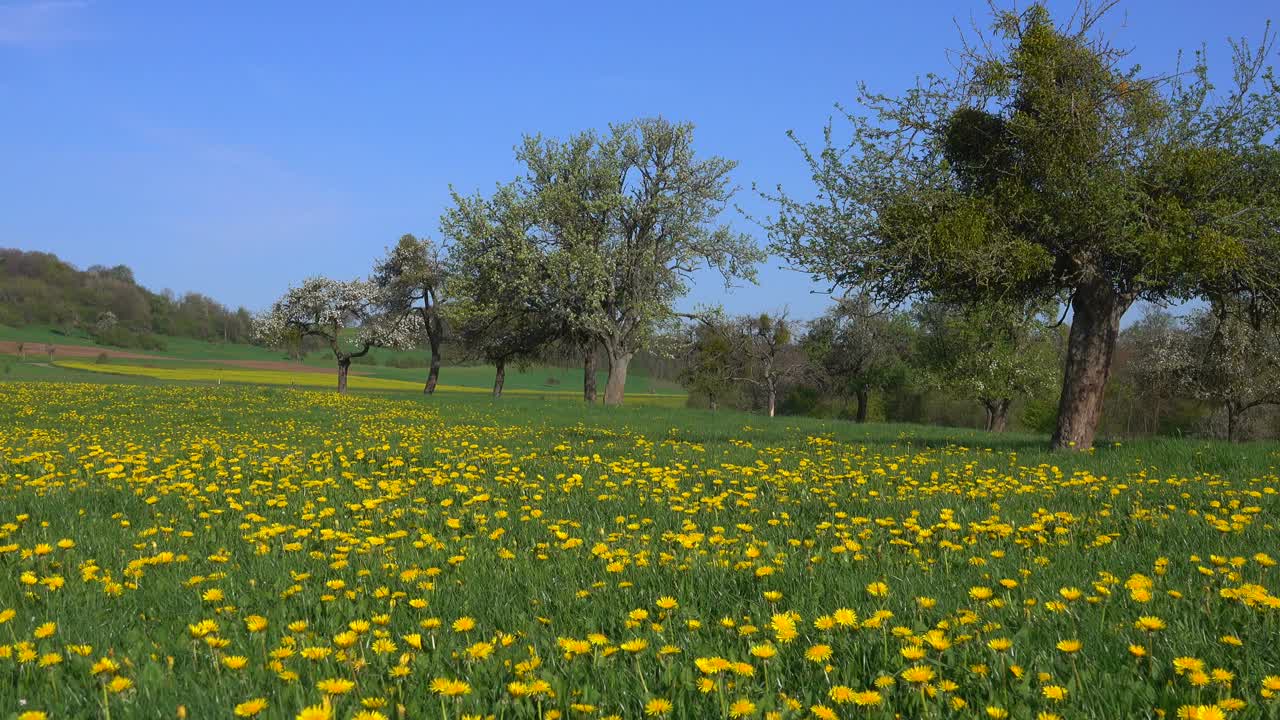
1229	356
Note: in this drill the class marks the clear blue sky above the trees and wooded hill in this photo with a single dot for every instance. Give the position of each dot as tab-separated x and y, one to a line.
234	148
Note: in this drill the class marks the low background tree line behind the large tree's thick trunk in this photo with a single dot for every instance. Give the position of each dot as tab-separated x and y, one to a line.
1212	372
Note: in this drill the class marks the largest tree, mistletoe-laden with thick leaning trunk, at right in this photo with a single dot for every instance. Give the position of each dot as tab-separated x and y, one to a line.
1045	168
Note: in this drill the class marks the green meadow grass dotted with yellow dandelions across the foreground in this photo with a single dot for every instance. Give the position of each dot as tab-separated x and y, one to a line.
205	548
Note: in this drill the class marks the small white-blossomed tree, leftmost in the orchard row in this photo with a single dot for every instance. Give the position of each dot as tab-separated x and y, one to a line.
346	316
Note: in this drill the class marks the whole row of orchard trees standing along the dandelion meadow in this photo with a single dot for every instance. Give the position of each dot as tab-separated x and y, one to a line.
1045	174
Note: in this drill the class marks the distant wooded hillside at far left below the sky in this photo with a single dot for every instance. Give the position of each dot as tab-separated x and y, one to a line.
39	289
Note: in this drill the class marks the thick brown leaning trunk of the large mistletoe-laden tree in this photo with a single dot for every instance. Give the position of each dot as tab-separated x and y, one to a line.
1096	312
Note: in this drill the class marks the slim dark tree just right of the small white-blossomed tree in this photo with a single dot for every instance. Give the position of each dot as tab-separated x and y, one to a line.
412	280
